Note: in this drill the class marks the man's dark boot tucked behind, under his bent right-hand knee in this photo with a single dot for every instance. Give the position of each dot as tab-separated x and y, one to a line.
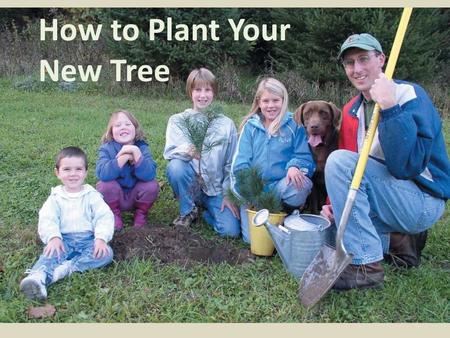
405	249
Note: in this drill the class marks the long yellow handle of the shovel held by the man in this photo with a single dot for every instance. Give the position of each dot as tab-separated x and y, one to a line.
361	166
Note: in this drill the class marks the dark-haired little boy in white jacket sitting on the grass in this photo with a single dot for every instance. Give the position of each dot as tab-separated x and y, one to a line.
75	224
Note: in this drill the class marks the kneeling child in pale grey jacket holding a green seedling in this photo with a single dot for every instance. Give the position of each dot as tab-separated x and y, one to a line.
200	143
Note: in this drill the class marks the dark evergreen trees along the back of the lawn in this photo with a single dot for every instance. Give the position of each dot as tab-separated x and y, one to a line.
310	49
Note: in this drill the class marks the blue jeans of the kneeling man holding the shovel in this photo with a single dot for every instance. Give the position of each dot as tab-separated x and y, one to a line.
383	204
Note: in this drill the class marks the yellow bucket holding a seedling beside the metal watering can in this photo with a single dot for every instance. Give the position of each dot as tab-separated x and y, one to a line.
260	241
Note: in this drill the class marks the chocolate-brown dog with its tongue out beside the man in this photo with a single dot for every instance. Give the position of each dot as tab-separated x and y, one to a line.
322	121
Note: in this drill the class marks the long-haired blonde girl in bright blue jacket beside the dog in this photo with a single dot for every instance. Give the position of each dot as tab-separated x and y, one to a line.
272	142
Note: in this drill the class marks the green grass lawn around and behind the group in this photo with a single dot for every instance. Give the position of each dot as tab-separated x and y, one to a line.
35	125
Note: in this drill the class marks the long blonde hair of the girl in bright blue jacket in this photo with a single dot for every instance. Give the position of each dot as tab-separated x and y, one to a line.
274	87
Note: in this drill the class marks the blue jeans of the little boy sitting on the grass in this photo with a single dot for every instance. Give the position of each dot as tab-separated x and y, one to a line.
79	250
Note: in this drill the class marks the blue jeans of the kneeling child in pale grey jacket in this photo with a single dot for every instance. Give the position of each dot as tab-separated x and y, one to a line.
181	176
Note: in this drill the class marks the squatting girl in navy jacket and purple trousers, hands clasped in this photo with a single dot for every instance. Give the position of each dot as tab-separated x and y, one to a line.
126	169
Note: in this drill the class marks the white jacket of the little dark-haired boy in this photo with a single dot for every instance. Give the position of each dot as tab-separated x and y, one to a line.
85	211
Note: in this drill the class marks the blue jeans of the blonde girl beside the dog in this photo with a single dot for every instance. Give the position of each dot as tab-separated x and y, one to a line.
288	193
